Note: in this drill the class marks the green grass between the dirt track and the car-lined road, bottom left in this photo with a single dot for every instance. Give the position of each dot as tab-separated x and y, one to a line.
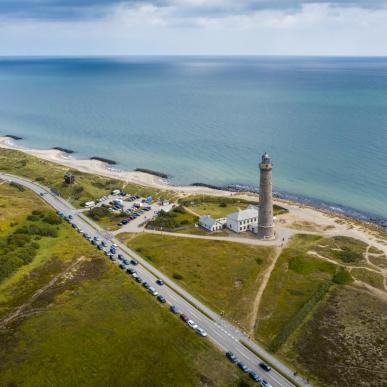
113	333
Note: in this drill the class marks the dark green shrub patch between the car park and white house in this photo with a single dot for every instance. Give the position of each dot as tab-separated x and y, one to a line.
176	220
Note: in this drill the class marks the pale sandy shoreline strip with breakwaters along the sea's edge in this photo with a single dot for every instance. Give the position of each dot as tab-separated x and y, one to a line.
141	176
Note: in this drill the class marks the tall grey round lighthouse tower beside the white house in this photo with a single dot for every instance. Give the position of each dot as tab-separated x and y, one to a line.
265	215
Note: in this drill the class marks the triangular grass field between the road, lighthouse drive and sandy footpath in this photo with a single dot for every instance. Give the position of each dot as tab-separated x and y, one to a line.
224	275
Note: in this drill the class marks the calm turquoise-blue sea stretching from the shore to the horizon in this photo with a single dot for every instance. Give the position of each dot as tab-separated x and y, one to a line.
200	119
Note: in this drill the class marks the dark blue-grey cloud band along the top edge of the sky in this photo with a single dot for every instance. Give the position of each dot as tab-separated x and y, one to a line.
63	10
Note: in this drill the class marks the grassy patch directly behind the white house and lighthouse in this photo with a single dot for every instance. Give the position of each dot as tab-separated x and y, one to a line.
219	207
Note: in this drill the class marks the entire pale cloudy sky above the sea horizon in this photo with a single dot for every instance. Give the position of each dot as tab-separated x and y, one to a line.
189	27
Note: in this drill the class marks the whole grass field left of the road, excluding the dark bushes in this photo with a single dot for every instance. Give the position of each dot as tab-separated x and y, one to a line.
93	319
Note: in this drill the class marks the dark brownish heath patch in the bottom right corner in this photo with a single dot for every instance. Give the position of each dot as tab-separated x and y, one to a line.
344	342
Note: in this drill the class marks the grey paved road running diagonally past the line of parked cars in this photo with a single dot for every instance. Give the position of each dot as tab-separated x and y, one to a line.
223	334
